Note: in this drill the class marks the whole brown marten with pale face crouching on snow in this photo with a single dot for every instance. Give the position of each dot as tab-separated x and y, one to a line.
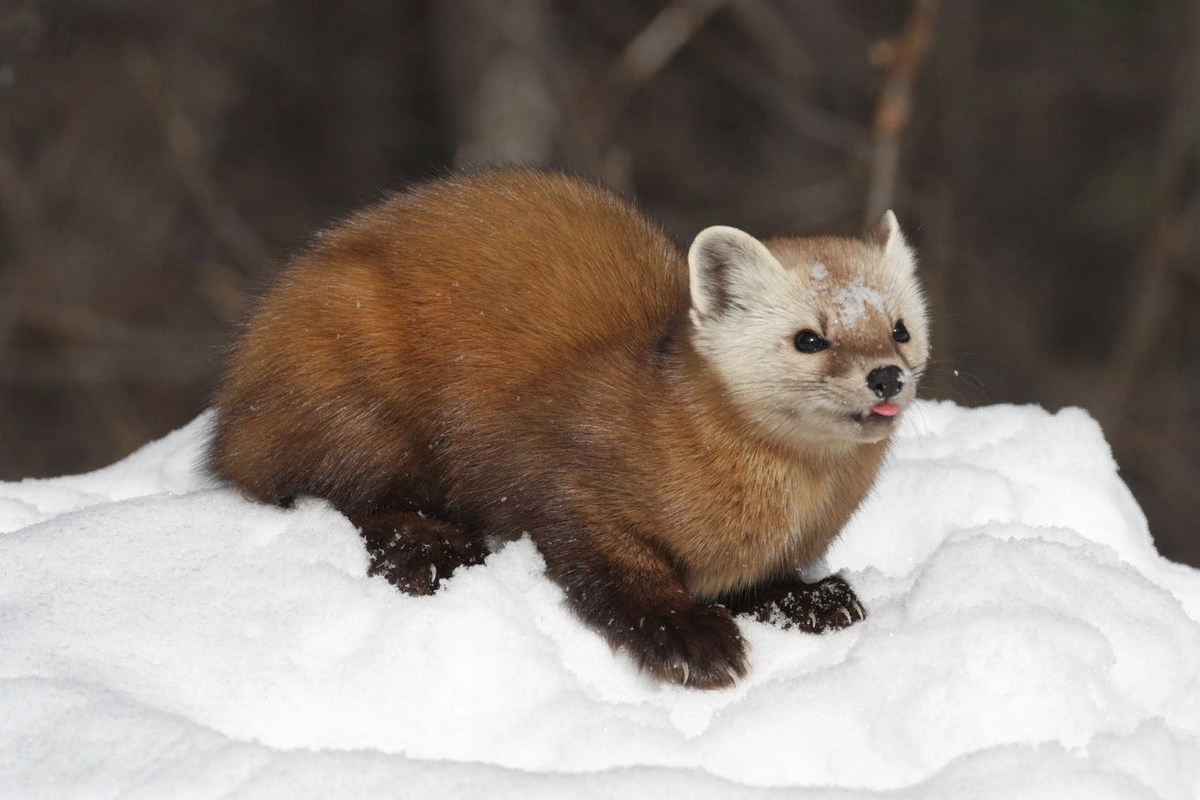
517	351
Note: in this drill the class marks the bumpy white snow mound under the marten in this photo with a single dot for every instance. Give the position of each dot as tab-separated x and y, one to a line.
164	637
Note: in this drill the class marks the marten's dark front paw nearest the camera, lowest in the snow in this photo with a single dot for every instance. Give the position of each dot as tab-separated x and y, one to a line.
699	647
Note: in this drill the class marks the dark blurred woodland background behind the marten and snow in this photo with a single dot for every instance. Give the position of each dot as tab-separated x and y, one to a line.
159	160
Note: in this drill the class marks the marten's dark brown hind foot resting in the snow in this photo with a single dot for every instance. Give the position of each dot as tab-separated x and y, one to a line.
416	554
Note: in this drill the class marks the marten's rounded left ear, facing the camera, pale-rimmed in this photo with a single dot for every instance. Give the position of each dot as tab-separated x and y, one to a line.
725	264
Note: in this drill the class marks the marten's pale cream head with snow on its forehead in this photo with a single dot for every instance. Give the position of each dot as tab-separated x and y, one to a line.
818	340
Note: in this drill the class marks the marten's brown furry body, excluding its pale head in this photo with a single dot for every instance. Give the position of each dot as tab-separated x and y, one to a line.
508	352
